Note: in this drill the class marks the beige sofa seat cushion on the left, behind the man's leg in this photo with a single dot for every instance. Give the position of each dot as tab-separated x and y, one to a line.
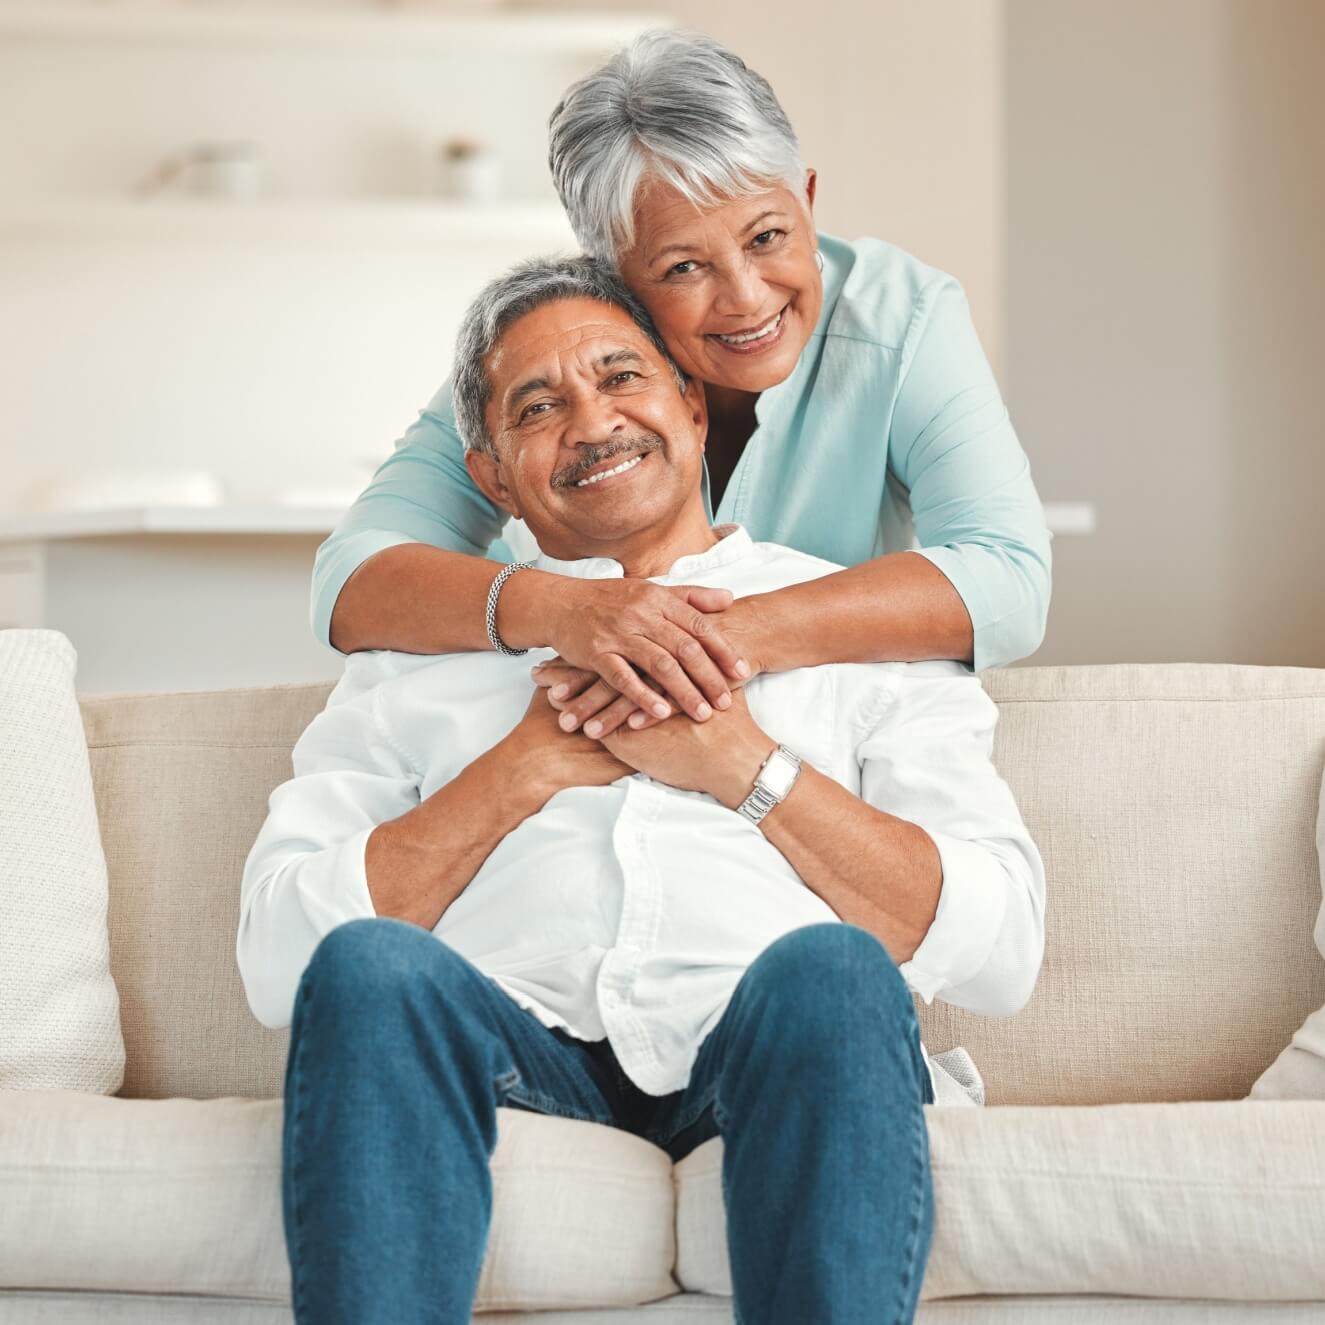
185	1197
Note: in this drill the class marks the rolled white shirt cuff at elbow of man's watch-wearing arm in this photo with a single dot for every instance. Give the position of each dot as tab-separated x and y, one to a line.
972	904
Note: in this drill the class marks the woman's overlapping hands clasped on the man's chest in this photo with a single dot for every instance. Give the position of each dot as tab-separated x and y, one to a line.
615	633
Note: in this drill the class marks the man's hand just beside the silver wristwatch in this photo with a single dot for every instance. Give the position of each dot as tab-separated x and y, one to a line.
721	757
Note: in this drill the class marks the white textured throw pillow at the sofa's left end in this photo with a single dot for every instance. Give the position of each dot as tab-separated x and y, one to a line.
60	1022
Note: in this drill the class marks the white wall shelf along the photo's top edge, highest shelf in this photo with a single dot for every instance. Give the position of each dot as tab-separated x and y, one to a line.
386	30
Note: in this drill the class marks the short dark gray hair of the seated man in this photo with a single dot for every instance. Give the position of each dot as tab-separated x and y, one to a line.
509	297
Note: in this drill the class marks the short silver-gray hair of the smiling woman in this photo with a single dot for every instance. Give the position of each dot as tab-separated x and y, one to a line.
675	107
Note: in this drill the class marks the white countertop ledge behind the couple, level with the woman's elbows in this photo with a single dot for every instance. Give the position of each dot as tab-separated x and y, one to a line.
256	519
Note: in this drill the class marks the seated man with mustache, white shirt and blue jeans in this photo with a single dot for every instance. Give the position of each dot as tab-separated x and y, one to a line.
684	929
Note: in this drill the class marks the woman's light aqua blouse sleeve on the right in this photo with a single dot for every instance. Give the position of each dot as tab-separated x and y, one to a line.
975	508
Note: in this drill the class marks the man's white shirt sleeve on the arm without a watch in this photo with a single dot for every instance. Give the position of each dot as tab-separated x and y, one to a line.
305	874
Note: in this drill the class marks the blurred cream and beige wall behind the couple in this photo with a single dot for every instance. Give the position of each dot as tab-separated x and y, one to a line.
1132	194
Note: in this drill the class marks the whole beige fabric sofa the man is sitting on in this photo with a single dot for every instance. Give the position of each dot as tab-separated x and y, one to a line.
1118	1172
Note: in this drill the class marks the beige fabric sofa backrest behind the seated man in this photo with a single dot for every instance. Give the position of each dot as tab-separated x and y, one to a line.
1175	806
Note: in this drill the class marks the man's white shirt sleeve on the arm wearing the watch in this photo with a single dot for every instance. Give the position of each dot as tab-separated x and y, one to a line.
927	759
